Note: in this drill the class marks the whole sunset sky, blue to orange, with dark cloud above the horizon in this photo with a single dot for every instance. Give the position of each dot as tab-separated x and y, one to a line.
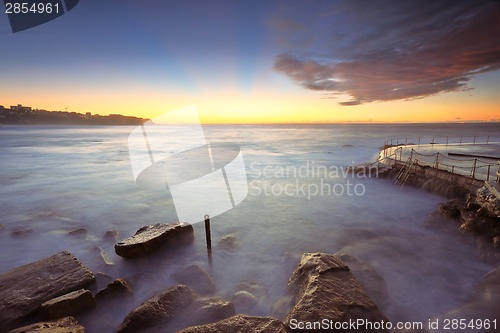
262	61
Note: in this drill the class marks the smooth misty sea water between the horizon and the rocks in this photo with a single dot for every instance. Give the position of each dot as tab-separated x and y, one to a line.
57	179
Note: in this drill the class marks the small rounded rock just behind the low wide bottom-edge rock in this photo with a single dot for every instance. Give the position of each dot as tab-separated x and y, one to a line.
209	310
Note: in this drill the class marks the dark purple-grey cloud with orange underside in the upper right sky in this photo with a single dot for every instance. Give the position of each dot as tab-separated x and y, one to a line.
390	50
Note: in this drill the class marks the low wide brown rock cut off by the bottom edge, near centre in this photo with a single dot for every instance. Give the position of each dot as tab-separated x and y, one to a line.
241	324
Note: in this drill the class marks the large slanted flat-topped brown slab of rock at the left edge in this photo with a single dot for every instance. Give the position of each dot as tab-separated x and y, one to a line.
24	289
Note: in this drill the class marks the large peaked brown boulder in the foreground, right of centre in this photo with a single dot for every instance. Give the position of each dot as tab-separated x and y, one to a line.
324	288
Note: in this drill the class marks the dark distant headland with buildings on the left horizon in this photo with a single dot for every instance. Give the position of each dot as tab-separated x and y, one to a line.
25	115
